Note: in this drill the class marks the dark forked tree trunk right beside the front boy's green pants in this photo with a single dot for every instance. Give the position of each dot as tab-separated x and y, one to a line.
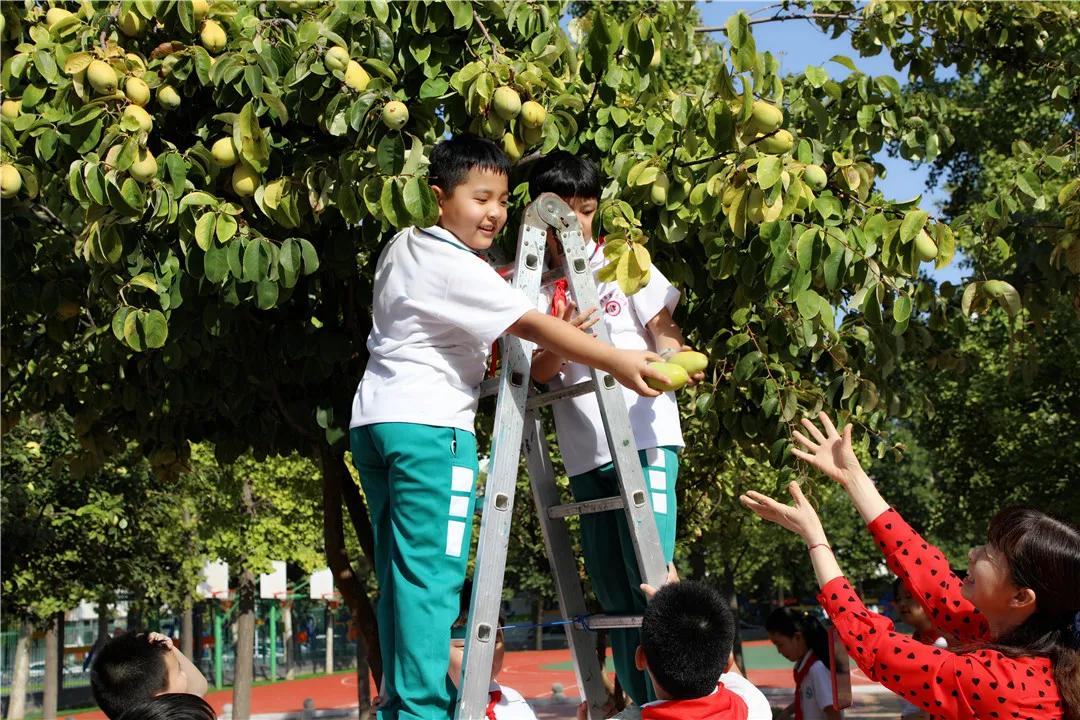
337	488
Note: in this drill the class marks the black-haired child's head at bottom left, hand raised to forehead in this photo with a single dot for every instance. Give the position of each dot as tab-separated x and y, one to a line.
131	670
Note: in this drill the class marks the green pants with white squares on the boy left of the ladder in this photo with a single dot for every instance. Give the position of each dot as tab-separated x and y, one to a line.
420	482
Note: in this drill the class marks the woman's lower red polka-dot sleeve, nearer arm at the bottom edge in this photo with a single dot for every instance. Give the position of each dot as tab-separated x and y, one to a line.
982	685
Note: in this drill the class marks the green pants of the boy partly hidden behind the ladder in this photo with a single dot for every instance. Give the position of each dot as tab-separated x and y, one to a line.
605	540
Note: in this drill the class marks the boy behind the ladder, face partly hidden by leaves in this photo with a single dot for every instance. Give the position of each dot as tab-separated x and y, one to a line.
641	322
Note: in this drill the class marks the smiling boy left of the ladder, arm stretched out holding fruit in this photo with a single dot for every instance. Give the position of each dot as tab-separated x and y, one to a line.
438	309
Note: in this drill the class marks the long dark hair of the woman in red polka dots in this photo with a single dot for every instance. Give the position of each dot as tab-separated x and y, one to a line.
1044	555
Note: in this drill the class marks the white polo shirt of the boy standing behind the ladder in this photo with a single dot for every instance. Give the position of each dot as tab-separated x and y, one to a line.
655	420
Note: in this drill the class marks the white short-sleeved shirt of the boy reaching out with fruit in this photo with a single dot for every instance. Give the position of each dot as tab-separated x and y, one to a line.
438	309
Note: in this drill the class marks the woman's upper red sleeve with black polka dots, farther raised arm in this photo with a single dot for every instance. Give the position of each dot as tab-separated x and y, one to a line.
928	577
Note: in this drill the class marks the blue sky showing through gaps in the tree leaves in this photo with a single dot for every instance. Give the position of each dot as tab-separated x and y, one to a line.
799	45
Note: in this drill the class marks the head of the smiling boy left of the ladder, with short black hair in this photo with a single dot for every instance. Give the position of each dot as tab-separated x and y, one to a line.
469	176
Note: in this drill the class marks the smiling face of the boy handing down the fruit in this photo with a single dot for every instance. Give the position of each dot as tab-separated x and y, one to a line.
476	211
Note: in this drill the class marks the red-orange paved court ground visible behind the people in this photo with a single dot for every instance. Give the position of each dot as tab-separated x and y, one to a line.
534	675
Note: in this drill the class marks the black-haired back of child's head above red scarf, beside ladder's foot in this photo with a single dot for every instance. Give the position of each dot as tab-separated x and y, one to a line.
686	639
